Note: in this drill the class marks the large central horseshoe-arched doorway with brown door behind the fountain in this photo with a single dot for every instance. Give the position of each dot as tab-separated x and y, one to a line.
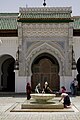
45	68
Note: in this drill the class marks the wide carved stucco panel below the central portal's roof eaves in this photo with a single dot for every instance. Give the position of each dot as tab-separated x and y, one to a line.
45	30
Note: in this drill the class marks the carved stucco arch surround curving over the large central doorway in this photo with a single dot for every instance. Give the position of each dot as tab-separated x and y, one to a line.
55	51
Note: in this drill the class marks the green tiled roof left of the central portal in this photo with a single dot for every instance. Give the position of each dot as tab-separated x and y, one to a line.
8	21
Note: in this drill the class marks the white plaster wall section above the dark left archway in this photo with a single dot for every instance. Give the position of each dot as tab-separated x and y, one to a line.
9	46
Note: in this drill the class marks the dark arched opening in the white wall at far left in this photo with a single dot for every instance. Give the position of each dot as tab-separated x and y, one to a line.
7	78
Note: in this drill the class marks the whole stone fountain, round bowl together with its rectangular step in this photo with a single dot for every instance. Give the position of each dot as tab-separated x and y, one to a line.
42	101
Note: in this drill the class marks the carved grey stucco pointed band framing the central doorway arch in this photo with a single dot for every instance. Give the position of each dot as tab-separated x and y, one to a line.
45	47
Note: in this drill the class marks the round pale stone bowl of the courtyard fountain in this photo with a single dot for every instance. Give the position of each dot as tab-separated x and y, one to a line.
42	98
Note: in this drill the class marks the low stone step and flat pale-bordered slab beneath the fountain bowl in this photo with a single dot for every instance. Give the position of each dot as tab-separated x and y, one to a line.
31	106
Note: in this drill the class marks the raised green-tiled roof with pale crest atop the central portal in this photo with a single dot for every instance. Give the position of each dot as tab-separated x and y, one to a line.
45	12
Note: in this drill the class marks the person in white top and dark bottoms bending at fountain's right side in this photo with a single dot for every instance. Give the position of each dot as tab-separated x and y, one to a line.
66	100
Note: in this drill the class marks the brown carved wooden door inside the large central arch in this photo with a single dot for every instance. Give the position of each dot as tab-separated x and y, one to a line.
44	71
